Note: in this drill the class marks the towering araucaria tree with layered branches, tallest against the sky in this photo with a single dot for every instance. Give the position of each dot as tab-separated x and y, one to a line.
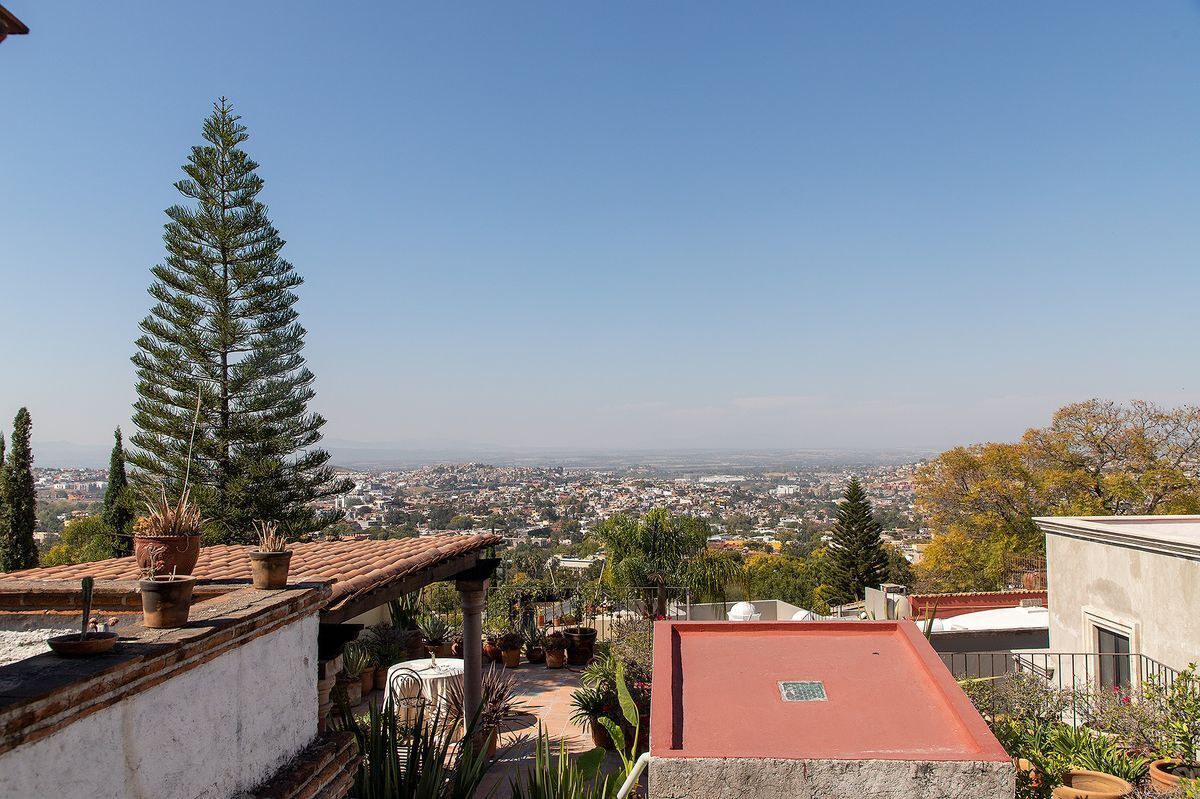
224	333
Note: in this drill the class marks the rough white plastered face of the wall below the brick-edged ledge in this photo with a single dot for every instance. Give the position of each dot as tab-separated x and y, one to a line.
211	732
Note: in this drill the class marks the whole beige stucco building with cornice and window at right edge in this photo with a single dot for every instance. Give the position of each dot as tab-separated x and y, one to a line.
1124	590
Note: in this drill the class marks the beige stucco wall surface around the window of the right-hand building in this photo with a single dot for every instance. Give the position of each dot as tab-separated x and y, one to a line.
1153	596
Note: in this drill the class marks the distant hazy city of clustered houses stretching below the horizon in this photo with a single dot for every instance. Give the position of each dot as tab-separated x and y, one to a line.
749	507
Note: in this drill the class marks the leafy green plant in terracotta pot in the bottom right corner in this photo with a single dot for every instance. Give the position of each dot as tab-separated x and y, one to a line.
1178	705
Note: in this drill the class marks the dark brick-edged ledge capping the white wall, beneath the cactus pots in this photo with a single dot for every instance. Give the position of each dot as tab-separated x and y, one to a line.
44	694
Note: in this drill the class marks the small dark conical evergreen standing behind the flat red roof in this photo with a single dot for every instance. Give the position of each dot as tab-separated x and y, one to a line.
857	558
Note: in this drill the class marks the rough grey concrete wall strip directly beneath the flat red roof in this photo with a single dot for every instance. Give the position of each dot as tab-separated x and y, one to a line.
712	778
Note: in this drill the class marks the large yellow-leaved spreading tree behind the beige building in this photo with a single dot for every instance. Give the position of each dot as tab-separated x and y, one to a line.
1096	458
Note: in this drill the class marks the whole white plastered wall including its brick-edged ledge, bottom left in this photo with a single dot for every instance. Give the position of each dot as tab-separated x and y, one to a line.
209	711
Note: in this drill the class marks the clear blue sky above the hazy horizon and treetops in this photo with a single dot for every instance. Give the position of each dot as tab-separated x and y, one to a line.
632	225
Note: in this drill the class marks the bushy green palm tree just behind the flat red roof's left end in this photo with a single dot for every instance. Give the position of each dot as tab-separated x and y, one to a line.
662	550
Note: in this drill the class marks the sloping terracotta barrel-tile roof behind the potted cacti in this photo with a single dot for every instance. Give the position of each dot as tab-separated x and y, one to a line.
353	567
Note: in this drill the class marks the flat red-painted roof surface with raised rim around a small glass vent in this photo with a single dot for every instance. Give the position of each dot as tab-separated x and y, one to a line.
717	694
